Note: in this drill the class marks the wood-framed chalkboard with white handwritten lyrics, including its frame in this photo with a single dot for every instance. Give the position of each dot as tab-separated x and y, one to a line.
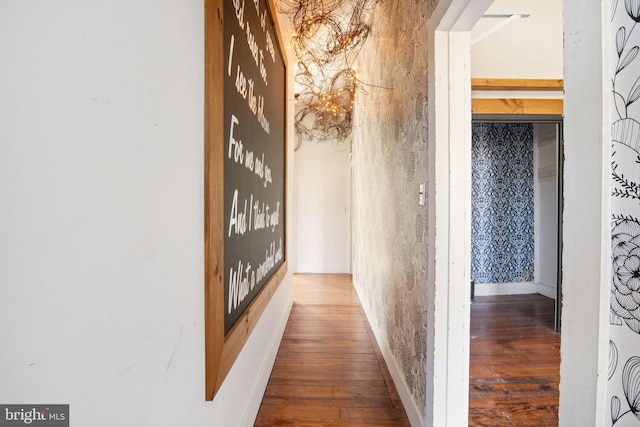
245	175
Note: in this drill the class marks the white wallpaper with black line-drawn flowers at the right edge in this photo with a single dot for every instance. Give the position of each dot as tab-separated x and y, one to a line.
624	347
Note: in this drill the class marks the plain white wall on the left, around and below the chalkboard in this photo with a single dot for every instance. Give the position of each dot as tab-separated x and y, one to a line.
101	255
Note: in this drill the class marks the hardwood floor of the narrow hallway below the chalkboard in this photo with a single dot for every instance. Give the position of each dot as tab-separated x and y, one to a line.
329	370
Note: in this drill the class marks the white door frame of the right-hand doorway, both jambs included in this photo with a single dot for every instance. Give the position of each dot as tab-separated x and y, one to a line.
587	238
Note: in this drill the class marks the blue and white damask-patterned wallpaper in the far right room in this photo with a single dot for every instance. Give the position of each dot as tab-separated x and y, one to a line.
502	245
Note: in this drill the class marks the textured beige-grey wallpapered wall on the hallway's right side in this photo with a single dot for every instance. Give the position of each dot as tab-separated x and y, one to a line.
389	163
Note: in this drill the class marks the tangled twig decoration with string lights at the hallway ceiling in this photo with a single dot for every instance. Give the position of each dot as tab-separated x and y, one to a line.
328	35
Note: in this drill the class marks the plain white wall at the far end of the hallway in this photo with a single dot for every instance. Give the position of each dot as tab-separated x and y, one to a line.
322	205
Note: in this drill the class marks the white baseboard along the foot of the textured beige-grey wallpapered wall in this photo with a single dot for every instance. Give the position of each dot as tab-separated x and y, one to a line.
410	407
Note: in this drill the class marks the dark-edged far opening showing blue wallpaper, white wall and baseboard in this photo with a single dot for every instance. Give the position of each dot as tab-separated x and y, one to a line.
516	231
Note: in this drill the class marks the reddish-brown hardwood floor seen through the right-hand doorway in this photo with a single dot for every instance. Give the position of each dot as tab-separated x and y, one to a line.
515	362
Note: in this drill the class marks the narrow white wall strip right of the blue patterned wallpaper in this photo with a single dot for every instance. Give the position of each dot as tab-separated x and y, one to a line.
546	208
